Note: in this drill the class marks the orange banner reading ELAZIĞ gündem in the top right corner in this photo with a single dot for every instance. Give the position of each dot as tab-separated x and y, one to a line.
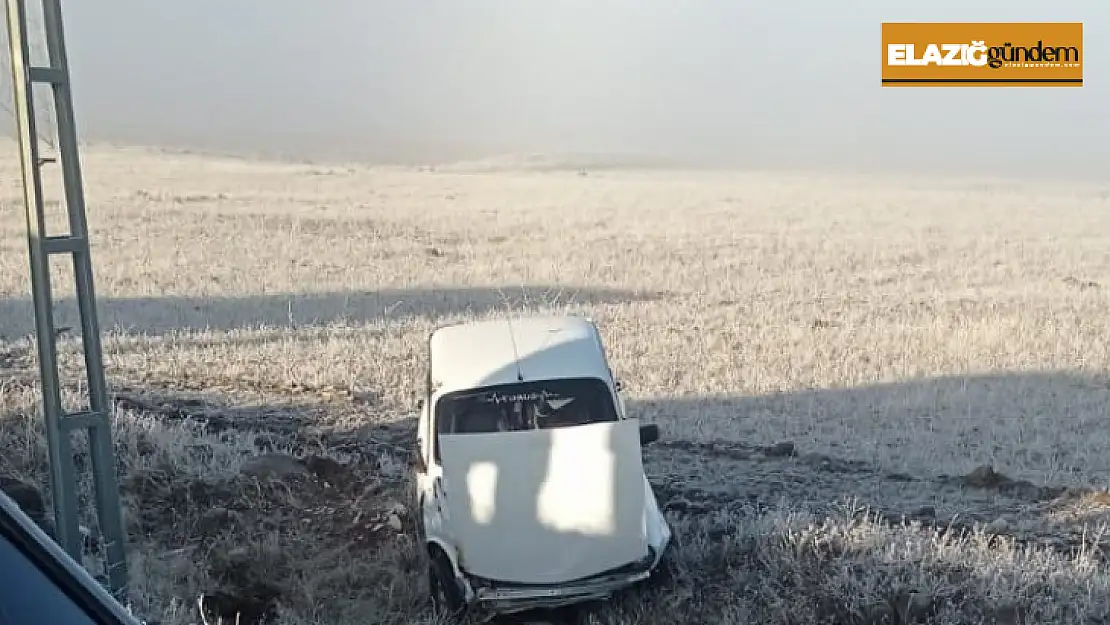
983	55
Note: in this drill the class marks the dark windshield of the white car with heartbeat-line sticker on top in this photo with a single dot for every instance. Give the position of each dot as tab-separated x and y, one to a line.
527	406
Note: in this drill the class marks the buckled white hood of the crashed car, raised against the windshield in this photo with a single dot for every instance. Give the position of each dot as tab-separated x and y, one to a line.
547	507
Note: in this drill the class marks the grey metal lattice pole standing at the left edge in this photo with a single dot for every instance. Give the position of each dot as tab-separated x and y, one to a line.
59	425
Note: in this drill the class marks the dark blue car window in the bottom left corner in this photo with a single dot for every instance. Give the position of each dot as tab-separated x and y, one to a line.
29	596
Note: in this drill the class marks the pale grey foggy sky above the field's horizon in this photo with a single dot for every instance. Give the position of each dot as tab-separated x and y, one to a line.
769	84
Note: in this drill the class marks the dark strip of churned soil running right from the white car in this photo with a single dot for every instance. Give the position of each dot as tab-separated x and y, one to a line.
700	479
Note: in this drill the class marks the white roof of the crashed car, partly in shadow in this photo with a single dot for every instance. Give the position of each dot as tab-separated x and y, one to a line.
518	349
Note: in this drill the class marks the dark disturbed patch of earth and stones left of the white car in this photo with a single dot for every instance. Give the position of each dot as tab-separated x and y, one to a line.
257	531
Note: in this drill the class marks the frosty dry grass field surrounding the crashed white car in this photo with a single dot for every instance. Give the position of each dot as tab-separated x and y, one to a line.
899	332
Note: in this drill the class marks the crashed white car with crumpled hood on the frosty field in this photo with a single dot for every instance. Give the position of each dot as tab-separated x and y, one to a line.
530	482
